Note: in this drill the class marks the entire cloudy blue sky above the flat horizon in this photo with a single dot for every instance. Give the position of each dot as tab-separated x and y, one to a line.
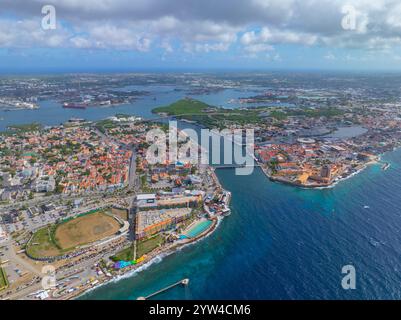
130	35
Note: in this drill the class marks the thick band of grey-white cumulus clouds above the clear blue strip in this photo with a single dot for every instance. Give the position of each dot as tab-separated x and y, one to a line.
204	26
